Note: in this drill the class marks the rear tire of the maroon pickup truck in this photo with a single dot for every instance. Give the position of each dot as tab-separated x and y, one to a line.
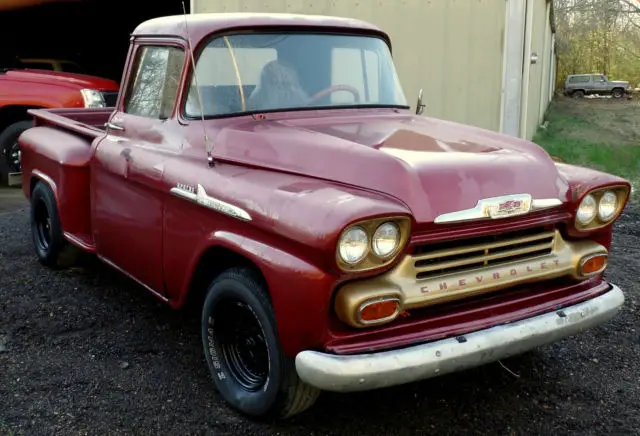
51	248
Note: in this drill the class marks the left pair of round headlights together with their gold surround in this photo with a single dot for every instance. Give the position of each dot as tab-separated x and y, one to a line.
372	243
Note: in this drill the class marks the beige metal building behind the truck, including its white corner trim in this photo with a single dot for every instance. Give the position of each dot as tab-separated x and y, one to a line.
489	63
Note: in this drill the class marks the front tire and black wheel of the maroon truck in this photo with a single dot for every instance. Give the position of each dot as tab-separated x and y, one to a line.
243	350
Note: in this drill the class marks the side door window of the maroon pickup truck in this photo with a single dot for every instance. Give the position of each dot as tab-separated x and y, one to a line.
153	85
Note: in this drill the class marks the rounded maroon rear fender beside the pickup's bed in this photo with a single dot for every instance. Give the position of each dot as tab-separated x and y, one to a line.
61	160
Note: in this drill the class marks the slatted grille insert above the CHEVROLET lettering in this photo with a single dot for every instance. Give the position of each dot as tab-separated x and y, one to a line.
454	256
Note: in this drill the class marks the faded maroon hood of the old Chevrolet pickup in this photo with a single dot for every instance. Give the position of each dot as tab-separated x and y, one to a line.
431	165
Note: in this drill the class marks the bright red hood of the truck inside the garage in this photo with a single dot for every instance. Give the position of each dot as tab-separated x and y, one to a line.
72	80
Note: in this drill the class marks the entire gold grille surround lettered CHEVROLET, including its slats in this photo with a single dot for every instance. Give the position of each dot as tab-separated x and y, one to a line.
453	270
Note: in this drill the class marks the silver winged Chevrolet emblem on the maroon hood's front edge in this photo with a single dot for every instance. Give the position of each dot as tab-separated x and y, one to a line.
499	207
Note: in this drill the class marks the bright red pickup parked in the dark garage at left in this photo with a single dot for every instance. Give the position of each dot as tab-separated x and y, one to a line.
22	88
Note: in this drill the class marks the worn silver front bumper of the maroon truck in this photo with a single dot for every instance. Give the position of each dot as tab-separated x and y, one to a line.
346	373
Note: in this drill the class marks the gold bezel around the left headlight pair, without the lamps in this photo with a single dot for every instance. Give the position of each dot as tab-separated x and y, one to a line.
373	258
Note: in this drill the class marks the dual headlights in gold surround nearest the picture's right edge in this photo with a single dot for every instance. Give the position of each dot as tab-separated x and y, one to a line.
600	207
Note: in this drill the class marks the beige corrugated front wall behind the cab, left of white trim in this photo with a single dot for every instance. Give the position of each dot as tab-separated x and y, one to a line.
451	48
